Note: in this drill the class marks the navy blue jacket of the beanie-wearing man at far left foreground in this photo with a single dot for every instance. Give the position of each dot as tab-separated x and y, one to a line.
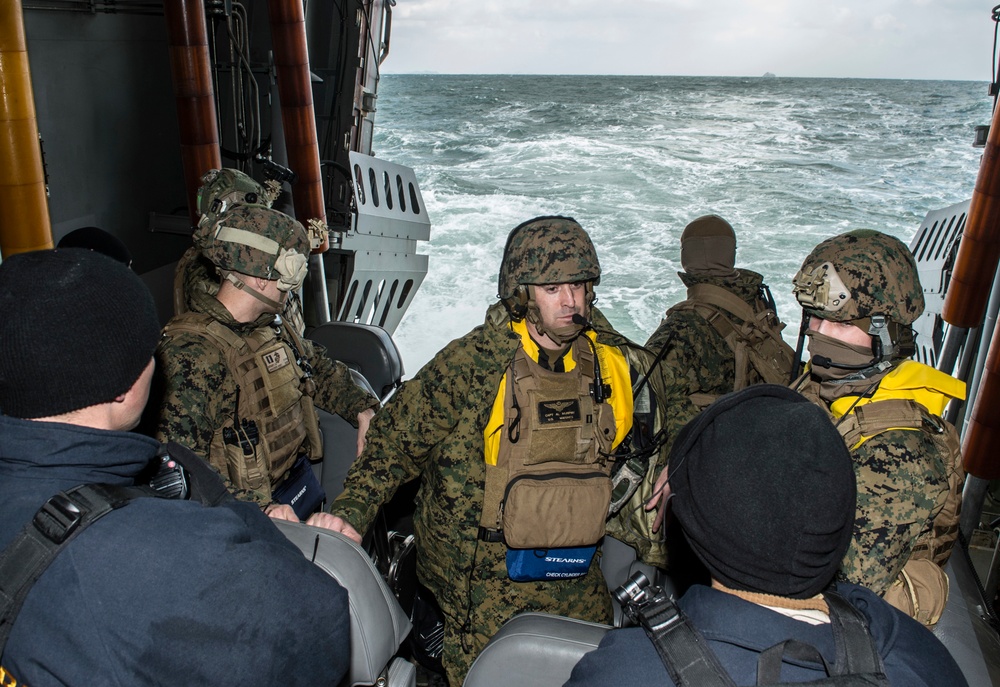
160	592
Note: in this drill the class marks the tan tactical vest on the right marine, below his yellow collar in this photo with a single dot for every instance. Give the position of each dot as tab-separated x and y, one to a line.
921	590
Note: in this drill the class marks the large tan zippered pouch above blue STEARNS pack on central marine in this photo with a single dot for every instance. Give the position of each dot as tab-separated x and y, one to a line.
572	506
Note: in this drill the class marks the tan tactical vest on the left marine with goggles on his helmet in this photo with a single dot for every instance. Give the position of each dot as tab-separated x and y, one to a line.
275	419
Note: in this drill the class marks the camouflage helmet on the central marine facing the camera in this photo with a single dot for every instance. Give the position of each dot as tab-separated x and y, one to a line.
547	250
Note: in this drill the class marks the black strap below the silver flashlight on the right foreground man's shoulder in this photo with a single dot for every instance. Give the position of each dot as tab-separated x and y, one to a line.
683	650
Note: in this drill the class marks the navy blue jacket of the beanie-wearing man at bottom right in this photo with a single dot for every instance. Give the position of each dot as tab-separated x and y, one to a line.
737	631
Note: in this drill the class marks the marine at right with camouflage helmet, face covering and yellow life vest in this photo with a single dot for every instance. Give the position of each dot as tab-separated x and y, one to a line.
861	293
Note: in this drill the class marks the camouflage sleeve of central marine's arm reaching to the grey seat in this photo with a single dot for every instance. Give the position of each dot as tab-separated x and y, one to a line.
404	435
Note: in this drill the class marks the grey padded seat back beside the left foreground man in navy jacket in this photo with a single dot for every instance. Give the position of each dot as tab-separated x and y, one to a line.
378	623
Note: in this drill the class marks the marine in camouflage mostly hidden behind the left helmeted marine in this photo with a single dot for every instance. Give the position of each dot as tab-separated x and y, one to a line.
221	190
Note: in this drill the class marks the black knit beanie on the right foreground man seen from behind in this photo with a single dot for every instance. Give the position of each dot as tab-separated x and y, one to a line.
763	487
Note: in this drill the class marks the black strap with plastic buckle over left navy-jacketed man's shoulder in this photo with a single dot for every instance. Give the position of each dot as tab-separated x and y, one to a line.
56	524
